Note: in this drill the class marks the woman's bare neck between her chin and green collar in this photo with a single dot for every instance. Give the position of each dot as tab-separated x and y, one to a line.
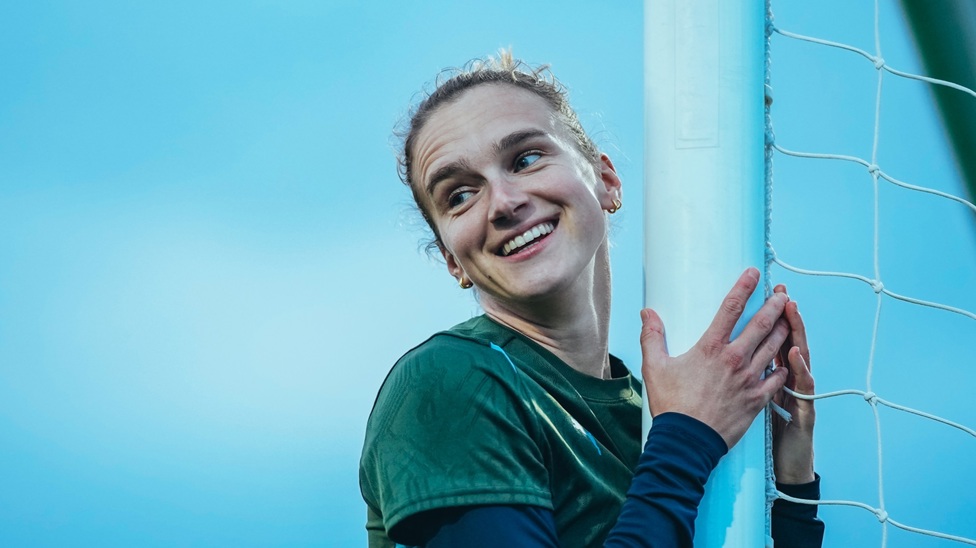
573	324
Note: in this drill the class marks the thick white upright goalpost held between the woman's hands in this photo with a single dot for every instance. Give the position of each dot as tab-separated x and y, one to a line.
705	208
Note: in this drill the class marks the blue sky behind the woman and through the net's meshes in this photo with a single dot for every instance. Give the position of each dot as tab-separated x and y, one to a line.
208	264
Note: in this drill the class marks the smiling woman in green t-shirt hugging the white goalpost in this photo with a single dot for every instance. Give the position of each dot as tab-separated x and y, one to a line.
518	427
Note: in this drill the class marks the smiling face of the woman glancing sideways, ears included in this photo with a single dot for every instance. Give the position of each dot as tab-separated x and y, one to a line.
518	208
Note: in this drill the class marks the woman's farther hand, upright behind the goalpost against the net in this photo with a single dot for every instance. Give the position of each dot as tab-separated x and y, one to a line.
793	441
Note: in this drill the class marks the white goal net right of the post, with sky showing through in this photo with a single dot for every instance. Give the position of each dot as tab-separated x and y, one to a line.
870	219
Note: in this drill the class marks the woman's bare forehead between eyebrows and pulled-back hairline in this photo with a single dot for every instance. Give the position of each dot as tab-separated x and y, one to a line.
479	118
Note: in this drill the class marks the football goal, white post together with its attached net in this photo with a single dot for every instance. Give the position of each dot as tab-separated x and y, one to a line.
861	213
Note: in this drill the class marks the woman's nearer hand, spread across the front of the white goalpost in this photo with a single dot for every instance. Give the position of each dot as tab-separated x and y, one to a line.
719	381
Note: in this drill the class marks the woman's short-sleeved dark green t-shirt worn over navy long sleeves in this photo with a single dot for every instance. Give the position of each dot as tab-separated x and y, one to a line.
481	414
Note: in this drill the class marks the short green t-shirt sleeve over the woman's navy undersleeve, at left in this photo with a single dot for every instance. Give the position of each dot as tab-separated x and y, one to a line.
451	427
